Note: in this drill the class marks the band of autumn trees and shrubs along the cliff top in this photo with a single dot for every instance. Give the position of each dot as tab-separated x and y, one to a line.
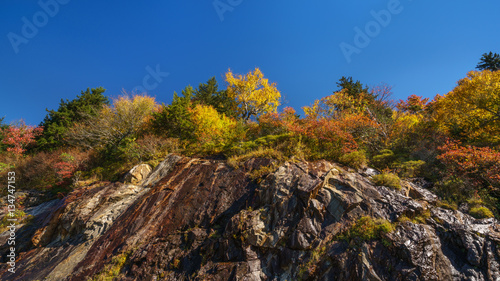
452	140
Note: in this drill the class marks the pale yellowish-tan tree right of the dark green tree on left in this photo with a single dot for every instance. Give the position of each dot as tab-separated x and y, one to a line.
116	123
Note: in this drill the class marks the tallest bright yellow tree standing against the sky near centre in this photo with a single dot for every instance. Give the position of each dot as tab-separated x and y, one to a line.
253	93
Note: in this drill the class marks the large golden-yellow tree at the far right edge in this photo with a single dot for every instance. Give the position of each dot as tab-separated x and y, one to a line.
471	111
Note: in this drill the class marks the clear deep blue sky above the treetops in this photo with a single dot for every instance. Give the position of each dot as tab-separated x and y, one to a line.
52	49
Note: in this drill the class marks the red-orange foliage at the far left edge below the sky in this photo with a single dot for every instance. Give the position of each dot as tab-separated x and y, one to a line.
18	137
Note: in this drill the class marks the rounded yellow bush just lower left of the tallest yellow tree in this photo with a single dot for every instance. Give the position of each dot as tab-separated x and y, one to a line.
210	127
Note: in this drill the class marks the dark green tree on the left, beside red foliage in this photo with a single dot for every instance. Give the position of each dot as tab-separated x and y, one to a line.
57	122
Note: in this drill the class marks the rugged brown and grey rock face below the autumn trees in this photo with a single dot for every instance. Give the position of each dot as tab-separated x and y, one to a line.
193	219
